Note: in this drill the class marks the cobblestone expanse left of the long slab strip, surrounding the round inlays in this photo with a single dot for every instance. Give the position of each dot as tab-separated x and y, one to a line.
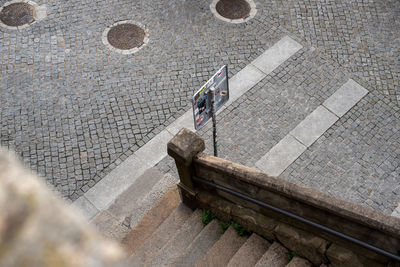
73	110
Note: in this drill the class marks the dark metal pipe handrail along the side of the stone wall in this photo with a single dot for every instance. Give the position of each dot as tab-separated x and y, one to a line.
301	219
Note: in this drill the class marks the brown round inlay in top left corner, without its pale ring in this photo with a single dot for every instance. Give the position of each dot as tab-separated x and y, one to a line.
17	14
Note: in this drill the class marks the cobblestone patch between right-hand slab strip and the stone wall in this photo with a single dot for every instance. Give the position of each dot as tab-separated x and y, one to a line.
358	158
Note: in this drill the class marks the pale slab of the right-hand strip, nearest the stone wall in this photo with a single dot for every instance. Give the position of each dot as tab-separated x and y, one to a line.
281	156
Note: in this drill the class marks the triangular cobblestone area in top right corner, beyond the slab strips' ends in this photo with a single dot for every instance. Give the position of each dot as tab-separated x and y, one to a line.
362	35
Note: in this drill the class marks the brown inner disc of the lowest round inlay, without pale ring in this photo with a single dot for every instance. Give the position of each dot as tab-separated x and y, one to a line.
126	36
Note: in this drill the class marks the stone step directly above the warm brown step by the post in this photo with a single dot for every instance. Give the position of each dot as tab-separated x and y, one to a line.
163	233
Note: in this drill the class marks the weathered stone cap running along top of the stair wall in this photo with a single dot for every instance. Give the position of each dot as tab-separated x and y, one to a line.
340	207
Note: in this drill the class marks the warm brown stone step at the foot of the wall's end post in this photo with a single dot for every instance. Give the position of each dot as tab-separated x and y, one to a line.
150	222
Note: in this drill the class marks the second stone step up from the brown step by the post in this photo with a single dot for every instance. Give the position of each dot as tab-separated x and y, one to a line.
178	243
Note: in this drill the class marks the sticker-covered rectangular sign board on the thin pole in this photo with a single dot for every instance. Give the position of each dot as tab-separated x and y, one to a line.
202	98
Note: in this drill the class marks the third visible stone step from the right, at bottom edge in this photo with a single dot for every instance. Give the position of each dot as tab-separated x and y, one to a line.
250	252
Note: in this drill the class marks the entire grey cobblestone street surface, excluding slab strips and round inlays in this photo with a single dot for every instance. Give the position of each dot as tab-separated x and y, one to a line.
74	110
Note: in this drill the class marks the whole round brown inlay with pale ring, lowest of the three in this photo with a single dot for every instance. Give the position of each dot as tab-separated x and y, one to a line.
125	37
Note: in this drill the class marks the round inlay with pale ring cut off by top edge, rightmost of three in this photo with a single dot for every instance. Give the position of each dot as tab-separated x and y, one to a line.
233	11
